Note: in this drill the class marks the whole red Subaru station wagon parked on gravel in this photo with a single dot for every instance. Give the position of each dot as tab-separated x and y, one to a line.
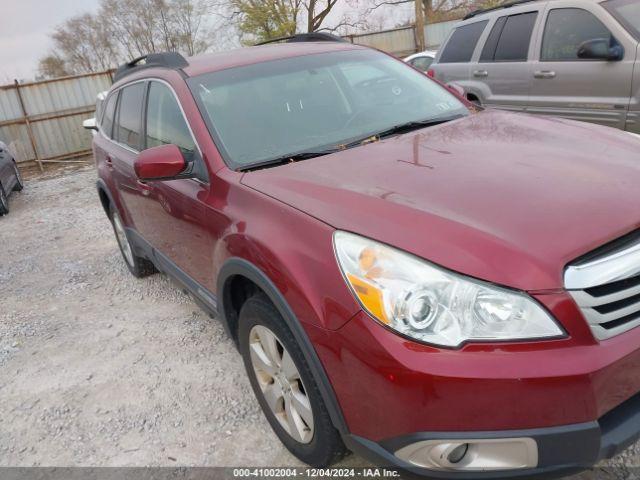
451	292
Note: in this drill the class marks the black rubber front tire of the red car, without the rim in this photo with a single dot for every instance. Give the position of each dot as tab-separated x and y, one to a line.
326	446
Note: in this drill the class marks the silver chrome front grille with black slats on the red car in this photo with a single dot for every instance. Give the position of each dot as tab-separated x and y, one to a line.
606	287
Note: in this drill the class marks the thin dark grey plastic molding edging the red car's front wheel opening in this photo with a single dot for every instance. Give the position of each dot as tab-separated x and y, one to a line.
238	266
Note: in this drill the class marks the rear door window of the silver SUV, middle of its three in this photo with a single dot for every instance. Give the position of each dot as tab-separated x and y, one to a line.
509	39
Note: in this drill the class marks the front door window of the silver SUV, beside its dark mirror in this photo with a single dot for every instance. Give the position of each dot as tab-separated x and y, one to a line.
566	30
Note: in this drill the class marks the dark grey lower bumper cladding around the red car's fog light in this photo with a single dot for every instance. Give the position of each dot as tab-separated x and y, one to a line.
561	450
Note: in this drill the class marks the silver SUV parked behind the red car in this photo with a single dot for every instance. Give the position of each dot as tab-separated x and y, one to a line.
565	58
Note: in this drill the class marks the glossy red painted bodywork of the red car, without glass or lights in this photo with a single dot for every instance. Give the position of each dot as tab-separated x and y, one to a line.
507	198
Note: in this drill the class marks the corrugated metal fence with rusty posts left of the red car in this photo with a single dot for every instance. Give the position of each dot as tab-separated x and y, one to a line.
42	121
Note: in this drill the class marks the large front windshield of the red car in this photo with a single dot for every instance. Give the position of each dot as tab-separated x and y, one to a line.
273	109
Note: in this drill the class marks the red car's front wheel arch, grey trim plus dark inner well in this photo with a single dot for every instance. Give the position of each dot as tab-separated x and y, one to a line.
239	270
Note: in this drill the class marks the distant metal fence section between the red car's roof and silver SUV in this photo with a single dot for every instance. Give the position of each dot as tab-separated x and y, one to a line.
402	41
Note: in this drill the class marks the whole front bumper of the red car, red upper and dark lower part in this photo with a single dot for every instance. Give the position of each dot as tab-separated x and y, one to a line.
576	397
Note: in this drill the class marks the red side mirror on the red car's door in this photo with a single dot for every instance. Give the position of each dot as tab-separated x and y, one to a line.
165	162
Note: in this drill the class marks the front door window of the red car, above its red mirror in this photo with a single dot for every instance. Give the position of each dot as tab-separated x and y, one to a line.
165	122
